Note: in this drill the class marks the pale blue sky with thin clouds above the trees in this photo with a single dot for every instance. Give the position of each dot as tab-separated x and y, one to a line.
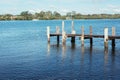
62	6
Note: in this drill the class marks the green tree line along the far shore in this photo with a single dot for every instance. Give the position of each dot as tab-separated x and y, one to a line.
49	15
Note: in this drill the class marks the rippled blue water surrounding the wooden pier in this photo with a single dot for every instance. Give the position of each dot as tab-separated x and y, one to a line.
26	55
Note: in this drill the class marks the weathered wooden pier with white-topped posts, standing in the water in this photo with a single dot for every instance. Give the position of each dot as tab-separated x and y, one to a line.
82	36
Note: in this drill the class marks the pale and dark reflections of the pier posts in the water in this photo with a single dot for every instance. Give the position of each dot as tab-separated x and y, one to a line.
83	51
